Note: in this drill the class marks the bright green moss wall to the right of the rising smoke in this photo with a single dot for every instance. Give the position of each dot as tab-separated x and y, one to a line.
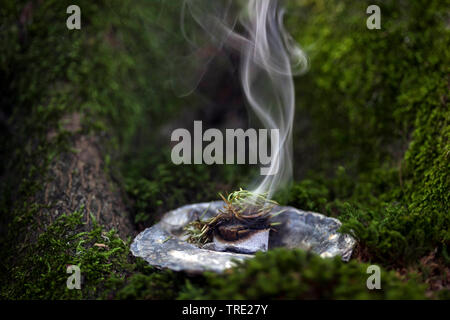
377	103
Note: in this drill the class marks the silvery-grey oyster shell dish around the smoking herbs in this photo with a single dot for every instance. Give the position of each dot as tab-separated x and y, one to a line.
164	244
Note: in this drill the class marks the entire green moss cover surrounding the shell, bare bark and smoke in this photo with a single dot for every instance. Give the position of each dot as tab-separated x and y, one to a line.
371	148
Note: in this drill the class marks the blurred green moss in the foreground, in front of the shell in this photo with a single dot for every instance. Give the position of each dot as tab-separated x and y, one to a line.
295	274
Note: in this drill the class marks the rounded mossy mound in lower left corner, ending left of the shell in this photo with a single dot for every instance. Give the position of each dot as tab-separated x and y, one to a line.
40	272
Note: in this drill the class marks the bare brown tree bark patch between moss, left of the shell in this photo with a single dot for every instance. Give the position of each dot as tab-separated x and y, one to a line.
78	181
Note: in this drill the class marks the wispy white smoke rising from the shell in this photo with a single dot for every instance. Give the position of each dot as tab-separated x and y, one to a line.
269	58
